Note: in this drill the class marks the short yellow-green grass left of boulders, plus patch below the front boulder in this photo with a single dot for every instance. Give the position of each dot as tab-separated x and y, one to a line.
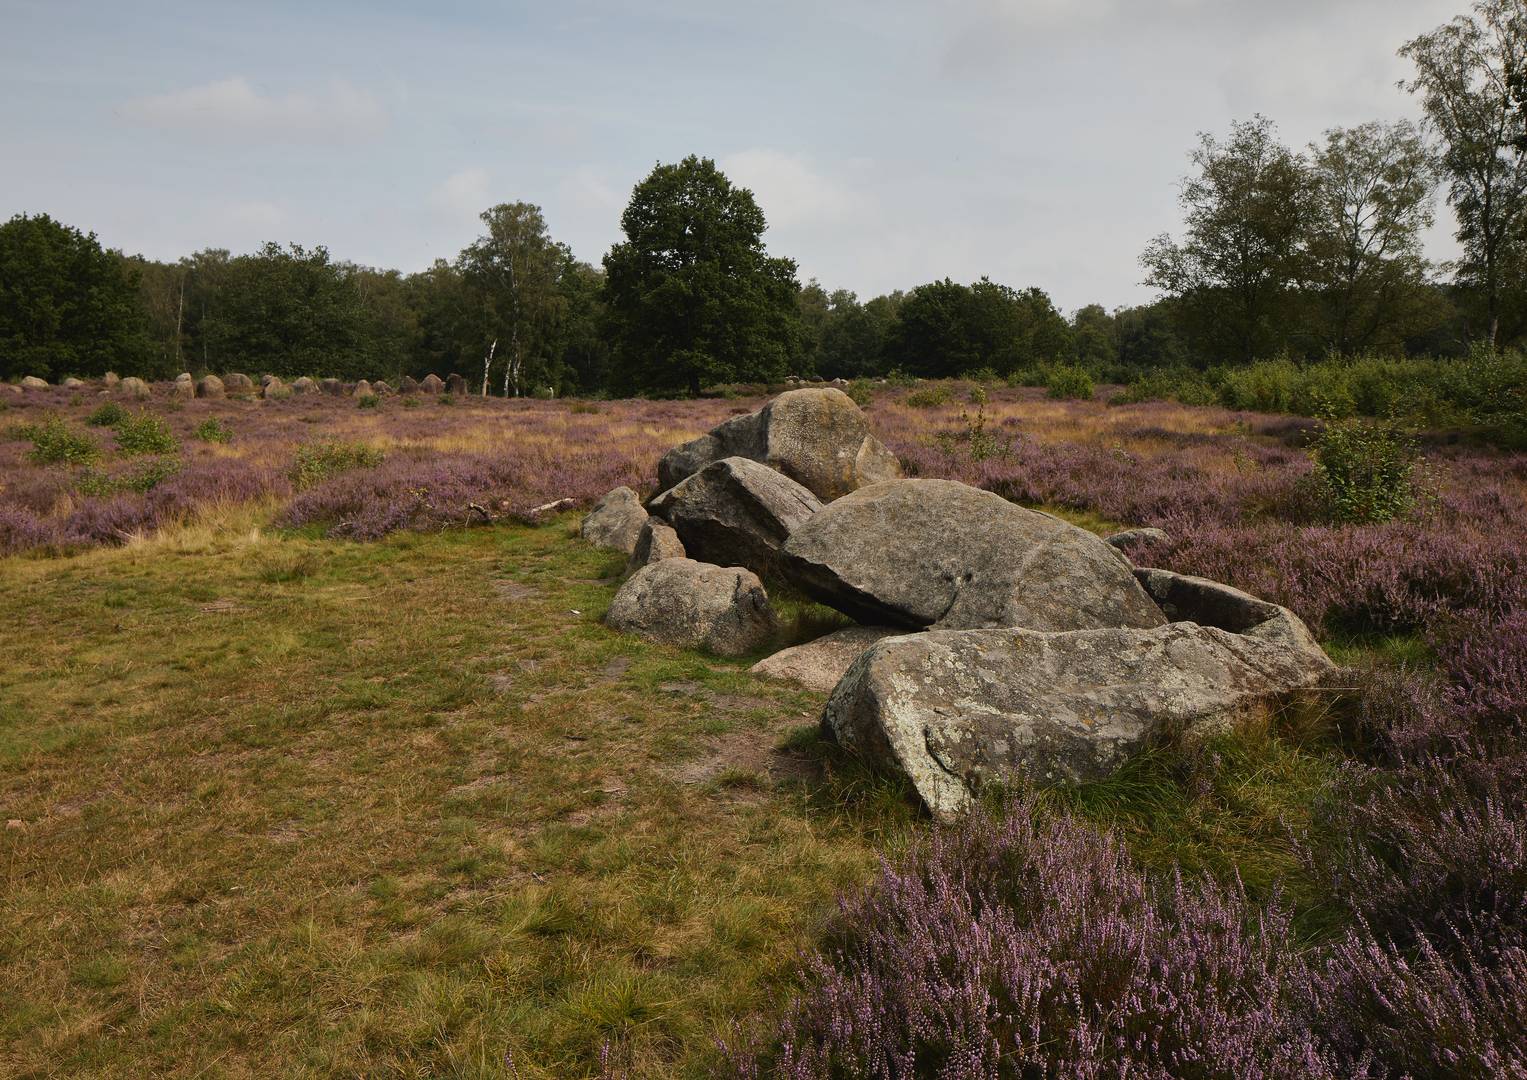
291	806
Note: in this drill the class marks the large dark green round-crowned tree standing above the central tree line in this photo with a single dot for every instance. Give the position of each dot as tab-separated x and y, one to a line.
692	297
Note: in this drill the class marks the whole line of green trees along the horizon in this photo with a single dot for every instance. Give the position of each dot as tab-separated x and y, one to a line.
1283	253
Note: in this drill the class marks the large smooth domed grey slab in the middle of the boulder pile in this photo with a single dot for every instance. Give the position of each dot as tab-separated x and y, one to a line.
940	554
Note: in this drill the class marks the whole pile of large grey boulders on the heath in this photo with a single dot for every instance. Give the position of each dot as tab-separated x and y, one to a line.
993	642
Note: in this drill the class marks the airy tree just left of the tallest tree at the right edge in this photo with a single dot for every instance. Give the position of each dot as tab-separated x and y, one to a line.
1374	187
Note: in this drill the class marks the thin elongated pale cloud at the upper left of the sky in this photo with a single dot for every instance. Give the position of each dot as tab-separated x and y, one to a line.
236	108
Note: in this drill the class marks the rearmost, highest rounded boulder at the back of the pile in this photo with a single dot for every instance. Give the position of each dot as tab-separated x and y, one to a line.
818	438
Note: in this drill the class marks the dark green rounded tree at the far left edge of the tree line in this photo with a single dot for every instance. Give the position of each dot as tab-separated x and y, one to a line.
66	306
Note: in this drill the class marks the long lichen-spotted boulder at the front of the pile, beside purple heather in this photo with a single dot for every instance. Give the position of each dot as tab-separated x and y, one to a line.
954	711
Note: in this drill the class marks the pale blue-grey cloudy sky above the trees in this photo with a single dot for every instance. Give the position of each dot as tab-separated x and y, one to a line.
889	143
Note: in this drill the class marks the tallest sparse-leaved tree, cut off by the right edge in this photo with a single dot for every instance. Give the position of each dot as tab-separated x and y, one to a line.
1468	74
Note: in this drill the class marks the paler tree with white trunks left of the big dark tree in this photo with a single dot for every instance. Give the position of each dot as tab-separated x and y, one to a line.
512	273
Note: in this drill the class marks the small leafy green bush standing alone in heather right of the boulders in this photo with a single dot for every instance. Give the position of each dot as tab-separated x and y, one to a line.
1364	471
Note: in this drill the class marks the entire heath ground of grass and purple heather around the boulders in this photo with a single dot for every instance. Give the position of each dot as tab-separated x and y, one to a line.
317	760
